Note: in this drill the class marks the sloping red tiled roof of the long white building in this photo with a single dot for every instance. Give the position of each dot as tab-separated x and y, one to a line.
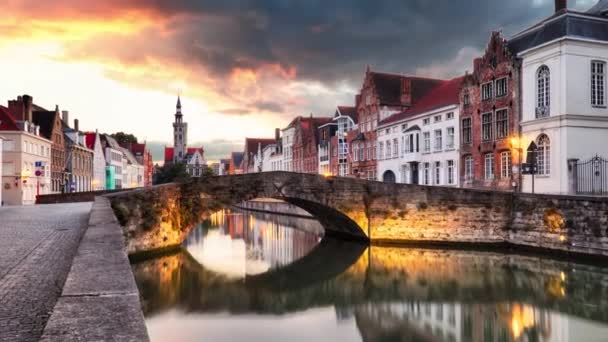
445	94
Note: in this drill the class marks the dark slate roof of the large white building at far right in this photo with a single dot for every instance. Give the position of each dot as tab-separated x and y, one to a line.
565	23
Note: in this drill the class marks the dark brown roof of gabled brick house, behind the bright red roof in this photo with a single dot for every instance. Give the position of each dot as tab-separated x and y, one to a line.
389	87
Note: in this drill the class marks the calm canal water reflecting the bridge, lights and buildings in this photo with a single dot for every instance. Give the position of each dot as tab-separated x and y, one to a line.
243	276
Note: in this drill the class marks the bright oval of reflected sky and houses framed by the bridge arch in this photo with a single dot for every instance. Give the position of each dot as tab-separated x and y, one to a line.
239	243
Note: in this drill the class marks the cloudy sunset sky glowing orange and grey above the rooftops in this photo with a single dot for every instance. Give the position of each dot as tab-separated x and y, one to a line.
242	68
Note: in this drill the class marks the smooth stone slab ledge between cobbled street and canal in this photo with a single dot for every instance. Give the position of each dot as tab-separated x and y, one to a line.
100	300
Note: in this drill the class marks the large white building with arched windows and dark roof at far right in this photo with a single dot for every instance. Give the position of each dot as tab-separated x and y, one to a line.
564	109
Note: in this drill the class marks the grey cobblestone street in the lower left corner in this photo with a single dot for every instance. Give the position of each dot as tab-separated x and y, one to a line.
37	245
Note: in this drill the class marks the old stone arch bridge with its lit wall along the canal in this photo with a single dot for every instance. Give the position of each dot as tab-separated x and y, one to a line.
161	217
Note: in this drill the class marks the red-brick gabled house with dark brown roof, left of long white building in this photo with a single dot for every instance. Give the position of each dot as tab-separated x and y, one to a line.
381	96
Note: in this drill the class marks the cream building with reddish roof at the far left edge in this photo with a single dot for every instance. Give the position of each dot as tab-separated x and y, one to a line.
26	161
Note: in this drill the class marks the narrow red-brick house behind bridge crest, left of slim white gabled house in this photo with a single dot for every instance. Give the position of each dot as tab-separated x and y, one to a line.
305	141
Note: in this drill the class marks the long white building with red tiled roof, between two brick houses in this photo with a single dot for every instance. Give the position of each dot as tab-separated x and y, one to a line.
421	144
